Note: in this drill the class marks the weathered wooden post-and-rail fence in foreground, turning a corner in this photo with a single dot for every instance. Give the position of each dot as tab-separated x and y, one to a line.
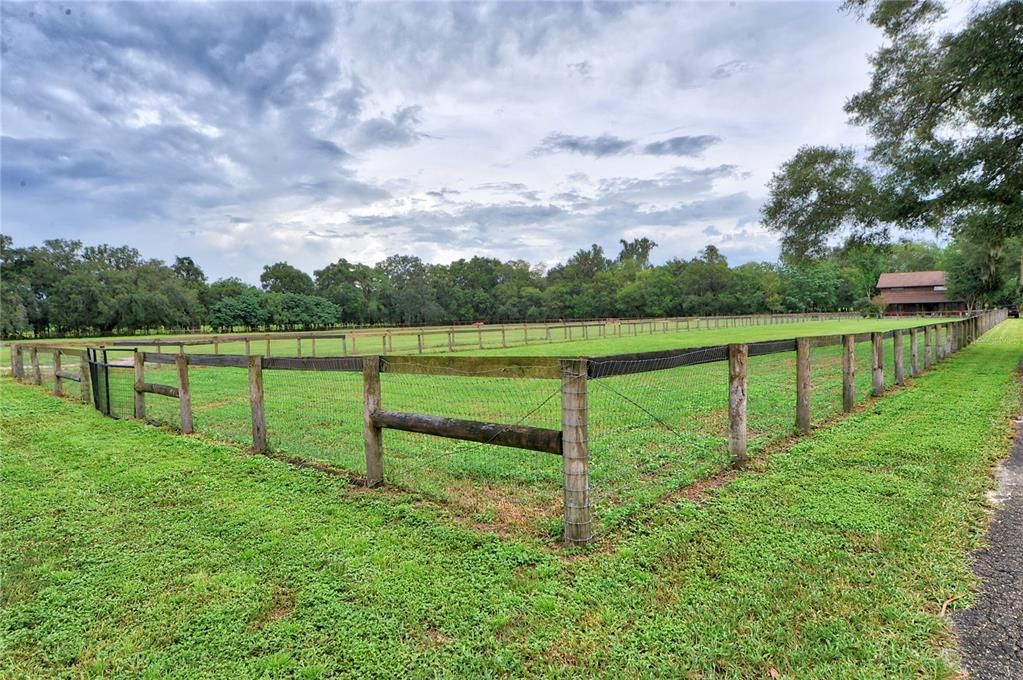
928	345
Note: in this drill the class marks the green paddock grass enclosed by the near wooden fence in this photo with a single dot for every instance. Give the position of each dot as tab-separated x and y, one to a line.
651	435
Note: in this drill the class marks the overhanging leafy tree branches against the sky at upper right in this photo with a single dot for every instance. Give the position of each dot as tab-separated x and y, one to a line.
945	115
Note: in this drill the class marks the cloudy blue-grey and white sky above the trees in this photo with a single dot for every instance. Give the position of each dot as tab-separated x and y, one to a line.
244	134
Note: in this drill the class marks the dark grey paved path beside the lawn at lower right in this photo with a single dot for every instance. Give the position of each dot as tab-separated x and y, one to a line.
991	632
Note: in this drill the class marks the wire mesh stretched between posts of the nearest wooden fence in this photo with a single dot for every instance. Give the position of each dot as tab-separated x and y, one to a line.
658	422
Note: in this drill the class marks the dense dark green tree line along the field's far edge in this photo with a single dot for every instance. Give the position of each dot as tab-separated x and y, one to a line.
64	288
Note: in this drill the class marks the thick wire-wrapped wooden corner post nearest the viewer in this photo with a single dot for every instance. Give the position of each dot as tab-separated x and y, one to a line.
579	512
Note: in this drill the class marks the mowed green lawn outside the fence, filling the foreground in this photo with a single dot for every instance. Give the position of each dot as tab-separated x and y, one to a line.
132	552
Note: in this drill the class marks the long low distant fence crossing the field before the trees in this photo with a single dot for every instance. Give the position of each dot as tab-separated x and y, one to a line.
455	339
